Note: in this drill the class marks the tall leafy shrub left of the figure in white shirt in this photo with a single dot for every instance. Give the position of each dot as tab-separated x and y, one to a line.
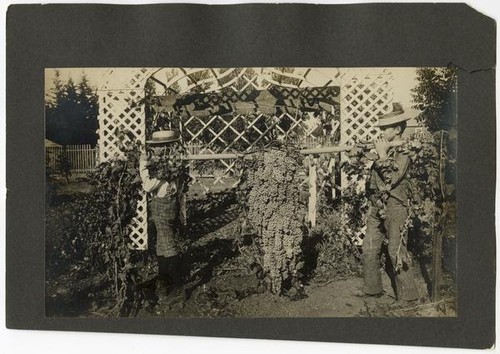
96	233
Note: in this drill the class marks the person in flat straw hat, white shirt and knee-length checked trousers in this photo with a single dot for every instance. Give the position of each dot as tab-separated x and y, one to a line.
164	210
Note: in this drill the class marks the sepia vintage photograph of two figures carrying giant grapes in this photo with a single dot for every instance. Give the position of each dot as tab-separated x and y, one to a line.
259	192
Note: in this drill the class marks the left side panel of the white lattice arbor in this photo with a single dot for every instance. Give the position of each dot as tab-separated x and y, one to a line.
118	109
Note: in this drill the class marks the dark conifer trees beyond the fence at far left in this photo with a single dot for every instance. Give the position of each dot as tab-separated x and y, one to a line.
71	112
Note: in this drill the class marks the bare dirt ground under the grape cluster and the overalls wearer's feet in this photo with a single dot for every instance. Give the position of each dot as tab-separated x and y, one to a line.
232	292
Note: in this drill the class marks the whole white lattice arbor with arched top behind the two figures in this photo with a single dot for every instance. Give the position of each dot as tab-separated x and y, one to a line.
239	110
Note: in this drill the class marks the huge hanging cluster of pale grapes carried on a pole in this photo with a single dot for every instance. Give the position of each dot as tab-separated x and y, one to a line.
275	211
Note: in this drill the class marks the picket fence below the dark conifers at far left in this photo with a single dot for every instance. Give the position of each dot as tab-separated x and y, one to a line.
82	158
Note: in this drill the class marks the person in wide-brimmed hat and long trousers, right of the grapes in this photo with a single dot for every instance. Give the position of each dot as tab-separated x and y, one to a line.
389	178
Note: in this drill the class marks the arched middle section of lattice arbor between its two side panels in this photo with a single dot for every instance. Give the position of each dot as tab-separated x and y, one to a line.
244	109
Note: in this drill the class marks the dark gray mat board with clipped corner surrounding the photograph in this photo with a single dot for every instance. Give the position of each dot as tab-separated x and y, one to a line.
370	35
